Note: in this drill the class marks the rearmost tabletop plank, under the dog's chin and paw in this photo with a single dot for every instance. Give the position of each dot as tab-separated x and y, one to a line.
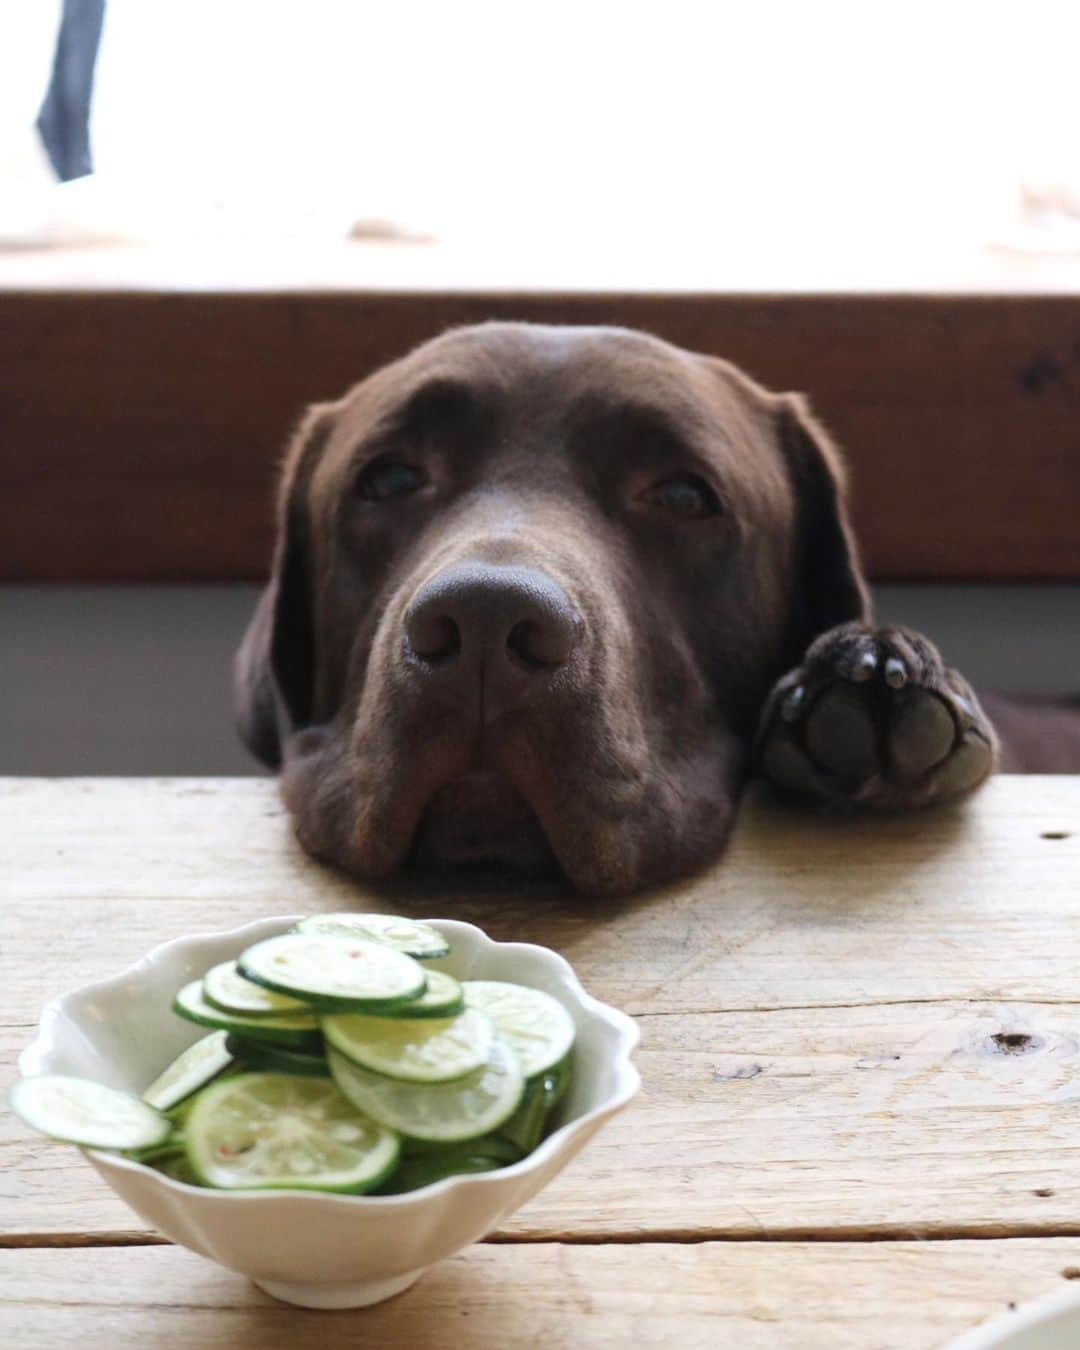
973	902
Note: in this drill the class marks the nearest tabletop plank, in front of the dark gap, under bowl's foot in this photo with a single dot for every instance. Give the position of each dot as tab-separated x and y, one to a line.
759	1297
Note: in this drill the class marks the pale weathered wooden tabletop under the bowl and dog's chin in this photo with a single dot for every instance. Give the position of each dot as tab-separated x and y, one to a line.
861	1125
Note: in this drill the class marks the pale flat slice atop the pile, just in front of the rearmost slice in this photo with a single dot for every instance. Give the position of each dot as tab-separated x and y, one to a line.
335	974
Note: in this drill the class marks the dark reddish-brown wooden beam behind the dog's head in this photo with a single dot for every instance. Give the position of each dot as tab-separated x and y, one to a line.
141	429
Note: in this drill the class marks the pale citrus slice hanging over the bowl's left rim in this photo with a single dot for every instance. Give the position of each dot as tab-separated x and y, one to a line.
86	1113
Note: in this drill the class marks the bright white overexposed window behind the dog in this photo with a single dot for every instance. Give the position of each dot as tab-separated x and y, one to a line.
772	133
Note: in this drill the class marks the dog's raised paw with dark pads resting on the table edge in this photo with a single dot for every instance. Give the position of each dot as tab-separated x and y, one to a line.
874	718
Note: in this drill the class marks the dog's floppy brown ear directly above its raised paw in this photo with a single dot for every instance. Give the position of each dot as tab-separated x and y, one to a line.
830	588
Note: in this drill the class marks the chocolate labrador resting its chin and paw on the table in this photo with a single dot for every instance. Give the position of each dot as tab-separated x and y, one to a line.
545	596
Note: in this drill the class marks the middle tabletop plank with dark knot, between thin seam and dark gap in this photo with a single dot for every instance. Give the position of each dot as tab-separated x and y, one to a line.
901	1121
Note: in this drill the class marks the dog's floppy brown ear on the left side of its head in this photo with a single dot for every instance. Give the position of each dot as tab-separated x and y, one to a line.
273	678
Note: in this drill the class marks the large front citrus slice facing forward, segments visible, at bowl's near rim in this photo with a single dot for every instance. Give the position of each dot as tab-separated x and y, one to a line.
276	1131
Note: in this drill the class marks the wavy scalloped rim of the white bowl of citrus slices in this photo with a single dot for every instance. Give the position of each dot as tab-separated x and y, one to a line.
628	1081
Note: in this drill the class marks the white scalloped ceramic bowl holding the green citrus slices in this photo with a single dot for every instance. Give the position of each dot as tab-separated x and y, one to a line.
326	1251
